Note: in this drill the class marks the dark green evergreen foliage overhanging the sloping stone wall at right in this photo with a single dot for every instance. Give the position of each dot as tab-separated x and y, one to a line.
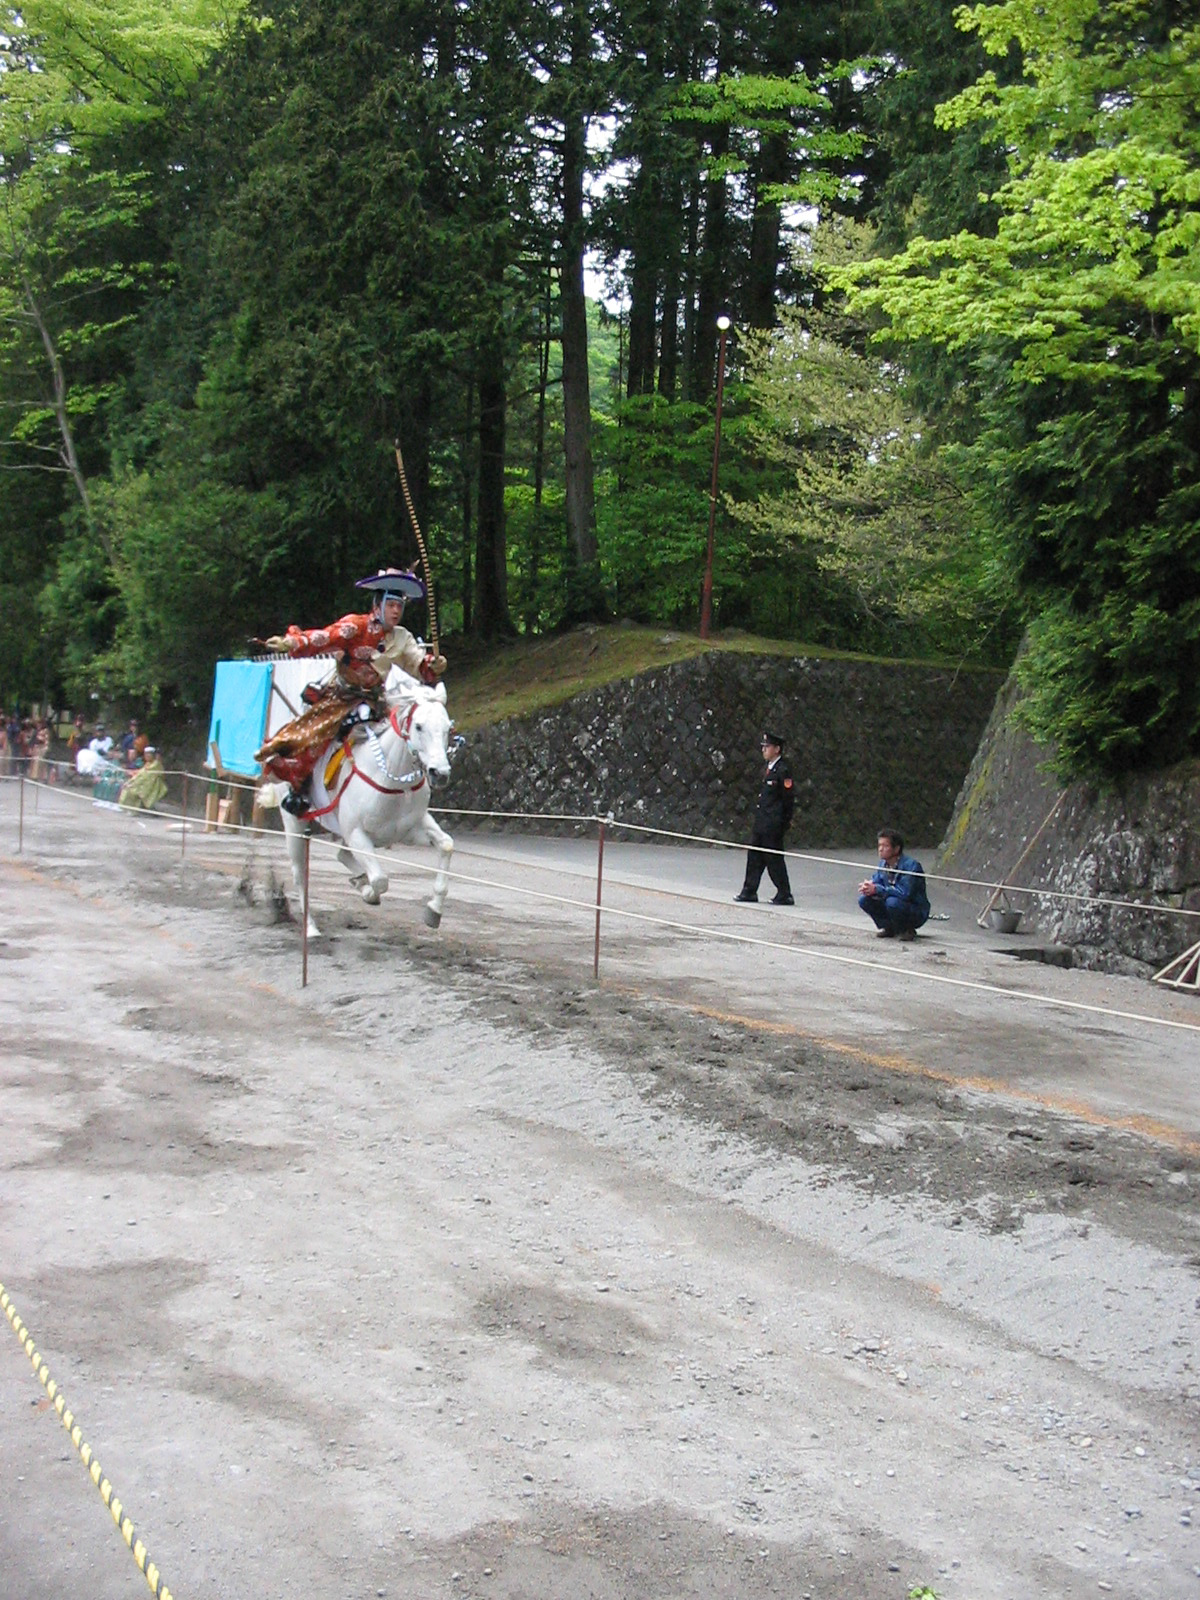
1103	502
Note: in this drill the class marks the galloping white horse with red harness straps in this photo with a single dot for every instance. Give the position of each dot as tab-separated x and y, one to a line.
378	793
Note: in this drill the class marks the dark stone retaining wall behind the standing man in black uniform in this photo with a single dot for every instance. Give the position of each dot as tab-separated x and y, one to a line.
678	748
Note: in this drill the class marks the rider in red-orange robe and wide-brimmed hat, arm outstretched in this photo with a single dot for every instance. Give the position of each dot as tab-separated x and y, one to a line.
367	647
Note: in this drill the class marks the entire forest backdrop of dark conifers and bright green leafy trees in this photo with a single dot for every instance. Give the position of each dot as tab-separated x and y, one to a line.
239	258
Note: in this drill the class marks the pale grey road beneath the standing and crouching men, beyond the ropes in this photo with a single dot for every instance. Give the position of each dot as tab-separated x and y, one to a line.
1114	1049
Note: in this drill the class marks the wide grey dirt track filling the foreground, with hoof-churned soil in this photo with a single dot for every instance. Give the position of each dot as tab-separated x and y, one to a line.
457	1274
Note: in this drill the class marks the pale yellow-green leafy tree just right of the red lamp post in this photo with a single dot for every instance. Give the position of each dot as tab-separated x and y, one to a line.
871	495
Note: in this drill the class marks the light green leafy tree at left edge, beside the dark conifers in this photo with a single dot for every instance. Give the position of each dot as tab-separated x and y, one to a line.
86	89
